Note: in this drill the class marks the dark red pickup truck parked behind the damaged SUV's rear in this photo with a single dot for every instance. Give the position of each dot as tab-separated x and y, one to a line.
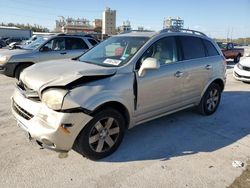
230	52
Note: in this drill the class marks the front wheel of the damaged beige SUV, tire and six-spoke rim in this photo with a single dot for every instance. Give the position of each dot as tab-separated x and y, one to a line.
89	147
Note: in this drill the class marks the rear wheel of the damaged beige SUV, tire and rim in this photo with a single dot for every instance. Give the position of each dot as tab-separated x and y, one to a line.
210	100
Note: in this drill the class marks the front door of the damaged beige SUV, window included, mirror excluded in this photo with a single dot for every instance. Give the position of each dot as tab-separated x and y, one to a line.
160	90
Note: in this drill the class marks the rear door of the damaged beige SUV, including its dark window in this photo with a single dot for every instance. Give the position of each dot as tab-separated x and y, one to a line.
198	68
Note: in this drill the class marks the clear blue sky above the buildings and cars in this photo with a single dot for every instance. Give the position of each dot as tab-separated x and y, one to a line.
217	18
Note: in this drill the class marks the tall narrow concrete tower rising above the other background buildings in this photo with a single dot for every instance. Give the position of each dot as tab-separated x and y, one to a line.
109	22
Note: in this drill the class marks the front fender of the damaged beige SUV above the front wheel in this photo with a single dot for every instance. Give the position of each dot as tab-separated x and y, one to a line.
118	88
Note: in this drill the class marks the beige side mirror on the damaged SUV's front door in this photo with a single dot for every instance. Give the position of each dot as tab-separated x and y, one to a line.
149	63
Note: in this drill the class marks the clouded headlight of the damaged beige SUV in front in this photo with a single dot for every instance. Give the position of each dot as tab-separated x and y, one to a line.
53	98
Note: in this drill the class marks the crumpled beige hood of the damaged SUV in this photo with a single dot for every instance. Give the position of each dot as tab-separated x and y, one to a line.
60	73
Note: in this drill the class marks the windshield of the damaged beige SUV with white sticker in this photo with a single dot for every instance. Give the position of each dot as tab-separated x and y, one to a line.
115	51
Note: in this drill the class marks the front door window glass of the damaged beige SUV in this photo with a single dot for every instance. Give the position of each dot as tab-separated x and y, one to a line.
164	50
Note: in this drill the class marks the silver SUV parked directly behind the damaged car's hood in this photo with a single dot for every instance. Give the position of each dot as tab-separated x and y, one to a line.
61	46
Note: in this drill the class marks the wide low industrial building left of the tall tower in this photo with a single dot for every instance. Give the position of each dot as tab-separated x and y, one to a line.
71	25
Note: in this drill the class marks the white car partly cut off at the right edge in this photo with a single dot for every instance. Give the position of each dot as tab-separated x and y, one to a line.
242	70
